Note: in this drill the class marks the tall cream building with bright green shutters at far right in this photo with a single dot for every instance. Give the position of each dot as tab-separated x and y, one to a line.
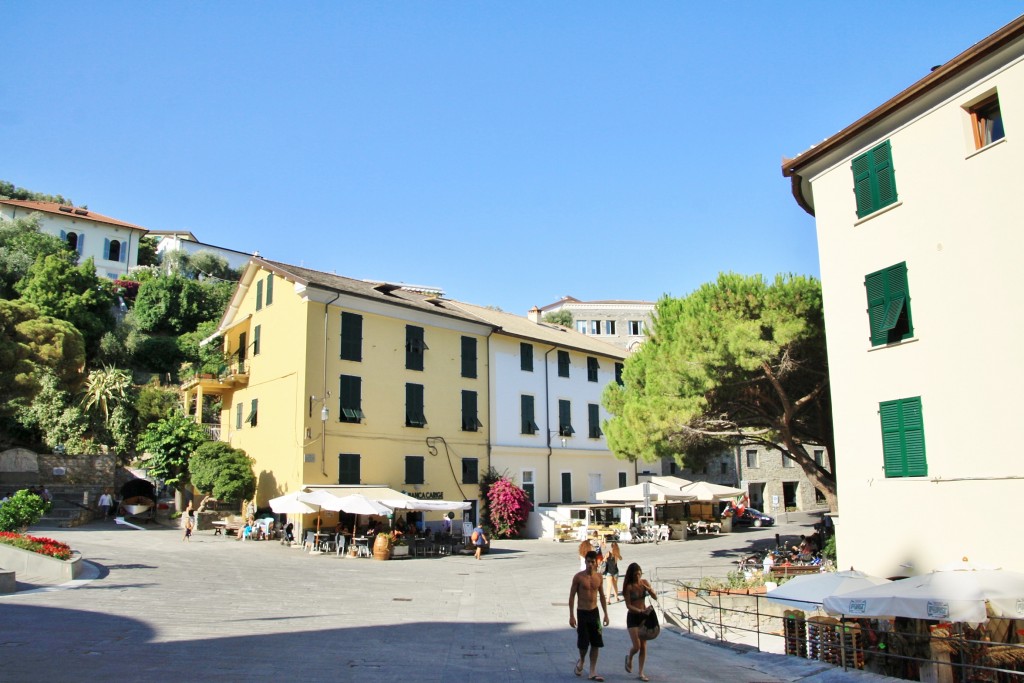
919	223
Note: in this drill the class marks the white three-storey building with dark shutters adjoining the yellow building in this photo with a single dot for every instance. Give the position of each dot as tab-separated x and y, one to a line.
546	414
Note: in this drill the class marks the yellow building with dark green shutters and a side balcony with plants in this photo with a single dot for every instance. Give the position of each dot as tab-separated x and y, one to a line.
338	381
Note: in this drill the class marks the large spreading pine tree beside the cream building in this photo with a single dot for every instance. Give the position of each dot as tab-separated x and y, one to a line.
739	362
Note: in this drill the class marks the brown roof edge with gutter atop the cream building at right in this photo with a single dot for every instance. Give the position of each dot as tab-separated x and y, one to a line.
942	75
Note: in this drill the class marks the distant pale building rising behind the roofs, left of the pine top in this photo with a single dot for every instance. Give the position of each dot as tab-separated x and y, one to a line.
616	322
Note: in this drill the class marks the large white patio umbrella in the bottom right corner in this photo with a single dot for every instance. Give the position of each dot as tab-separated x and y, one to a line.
957	595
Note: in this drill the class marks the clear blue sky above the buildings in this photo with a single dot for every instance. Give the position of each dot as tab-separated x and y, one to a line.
510	153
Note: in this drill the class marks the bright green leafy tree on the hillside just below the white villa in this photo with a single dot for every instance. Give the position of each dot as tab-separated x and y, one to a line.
72	293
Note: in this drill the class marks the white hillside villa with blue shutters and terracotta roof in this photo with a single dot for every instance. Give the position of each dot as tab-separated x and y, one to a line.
112	243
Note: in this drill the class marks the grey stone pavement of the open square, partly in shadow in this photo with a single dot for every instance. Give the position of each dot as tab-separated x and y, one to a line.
156	609
